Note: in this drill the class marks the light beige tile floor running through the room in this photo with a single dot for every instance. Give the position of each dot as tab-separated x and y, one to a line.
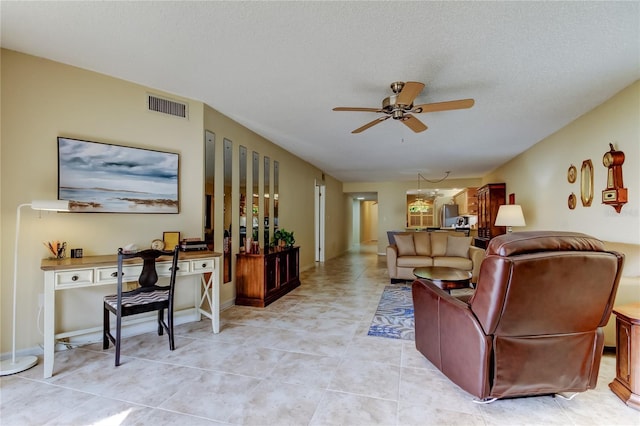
304	360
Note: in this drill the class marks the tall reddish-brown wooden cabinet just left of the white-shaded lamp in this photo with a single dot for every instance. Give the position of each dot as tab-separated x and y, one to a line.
490	198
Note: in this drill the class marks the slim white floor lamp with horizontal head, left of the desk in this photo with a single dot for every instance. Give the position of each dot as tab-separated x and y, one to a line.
16	365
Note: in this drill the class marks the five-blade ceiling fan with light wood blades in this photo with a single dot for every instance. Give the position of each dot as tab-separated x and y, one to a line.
399	106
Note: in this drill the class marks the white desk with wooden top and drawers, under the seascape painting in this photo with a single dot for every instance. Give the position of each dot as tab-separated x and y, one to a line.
65	274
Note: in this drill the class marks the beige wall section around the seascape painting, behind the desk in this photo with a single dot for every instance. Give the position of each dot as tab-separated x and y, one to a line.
40	101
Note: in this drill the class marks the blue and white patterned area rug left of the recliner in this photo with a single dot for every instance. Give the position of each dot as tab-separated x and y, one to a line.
394	316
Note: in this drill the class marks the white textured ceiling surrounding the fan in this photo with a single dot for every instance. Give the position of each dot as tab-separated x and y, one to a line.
279	68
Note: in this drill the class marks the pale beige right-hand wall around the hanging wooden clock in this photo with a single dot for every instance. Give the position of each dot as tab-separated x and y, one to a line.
538	177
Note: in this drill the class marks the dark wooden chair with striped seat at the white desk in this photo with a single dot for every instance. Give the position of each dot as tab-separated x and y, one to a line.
146	298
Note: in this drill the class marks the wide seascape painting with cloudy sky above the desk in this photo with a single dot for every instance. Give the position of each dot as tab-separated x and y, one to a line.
104	178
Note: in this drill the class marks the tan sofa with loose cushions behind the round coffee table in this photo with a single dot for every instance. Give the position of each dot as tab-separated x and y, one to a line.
416	249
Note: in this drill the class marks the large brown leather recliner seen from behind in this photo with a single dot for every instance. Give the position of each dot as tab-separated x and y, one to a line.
534	323
